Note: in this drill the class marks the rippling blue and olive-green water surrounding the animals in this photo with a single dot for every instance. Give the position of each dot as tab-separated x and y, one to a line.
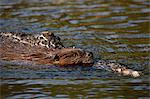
112	29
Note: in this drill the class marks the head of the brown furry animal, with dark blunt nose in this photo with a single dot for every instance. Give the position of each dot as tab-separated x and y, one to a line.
70	56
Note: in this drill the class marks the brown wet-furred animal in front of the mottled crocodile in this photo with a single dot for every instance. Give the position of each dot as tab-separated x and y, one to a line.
14	50
